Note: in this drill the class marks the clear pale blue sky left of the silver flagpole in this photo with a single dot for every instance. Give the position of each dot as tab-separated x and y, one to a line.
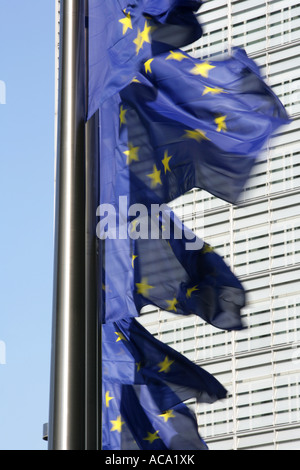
27	64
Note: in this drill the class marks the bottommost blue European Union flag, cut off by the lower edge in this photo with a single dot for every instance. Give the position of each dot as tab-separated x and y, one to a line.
133	421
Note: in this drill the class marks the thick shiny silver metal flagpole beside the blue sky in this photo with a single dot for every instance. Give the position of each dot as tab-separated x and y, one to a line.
66	429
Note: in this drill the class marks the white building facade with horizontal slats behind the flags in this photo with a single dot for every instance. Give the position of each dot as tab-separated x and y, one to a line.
260	239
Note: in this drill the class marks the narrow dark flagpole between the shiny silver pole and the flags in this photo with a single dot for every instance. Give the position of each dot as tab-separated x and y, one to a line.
93	280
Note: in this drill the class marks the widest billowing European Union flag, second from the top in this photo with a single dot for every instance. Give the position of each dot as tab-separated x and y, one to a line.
188	123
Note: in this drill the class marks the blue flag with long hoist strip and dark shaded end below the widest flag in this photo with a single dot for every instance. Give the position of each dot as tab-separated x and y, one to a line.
141	266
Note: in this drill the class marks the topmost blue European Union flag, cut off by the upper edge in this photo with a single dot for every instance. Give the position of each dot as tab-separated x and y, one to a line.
123	34
